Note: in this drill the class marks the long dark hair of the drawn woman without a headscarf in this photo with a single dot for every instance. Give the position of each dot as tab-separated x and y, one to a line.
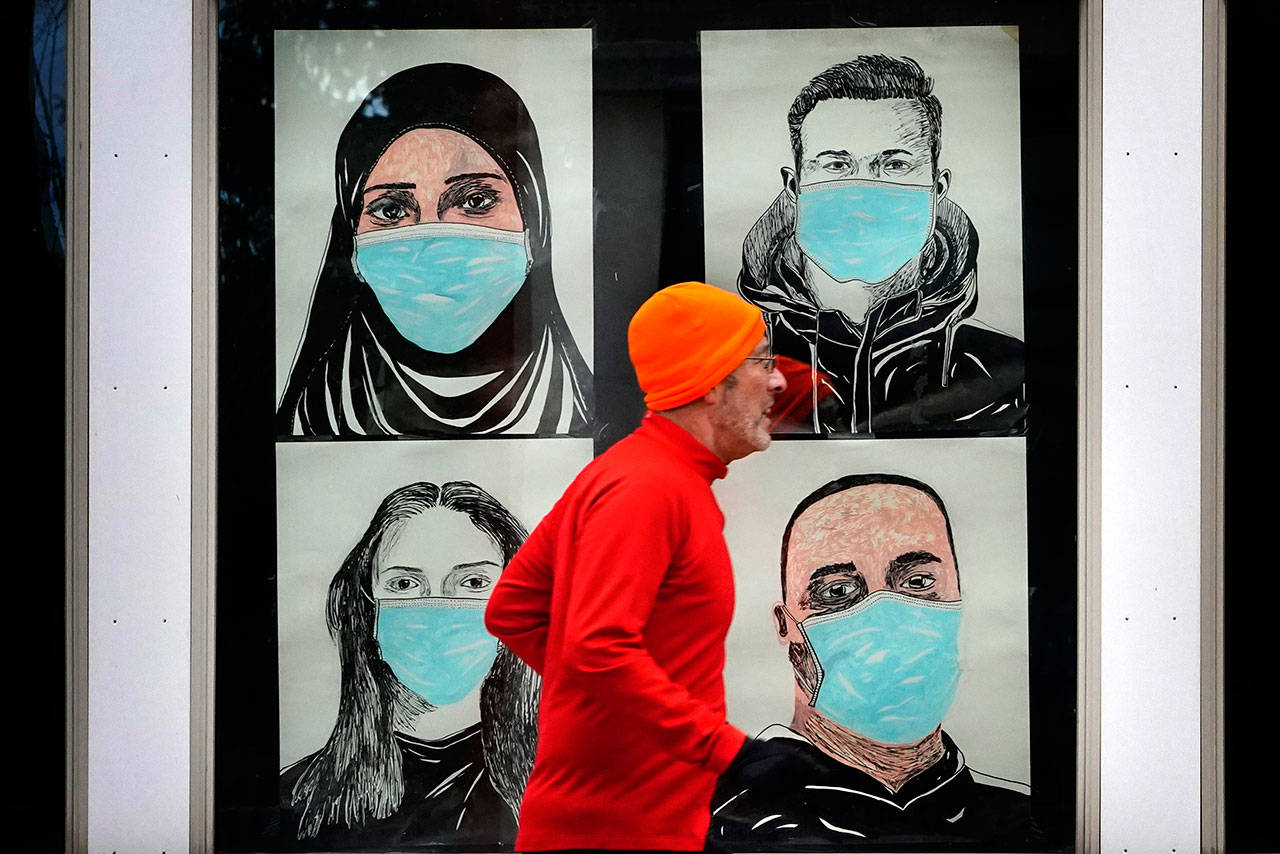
358	775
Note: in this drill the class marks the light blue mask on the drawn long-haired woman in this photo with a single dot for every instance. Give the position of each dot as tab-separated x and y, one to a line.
436	646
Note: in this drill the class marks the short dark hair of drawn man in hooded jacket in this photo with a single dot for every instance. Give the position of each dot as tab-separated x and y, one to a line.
870	79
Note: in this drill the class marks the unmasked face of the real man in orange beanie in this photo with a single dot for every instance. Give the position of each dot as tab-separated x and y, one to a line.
744	399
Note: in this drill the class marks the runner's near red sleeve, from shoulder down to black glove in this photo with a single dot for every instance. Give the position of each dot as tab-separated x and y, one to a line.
625	546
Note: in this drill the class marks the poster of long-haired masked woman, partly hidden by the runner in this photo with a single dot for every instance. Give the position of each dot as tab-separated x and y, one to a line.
403	721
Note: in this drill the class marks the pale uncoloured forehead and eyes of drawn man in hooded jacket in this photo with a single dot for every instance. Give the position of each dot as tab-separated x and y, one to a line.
886	140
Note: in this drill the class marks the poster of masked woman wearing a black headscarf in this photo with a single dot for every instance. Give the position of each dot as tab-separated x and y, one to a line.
433	232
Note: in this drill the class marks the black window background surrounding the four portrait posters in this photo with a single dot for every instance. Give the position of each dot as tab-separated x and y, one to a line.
648	234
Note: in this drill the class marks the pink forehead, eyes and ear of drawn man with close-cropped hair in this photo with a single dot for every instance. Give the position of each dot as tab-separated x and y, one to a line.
881	537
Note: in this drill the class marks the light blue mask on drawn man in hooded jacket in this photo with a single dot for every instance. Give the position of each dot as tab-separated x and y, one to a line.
863	230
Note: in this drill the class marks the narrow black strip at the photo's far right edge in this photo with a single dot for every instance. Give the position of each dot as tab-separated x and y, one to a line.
1250	801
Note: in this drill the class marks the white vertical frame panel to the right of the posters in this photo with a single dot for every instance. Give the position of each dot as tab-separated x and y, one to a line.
1153	202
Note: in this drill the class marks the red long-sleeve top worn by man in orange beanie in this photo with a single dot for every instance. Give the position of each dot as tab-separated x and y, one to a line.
621	600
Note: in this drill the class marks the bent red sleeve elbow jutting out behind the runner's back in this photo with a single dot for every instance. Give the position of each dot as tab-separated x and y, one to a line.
519	610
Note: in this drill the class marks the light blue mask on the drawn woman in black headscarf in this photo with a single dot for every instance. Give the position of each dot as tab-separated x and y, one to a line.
444	284
